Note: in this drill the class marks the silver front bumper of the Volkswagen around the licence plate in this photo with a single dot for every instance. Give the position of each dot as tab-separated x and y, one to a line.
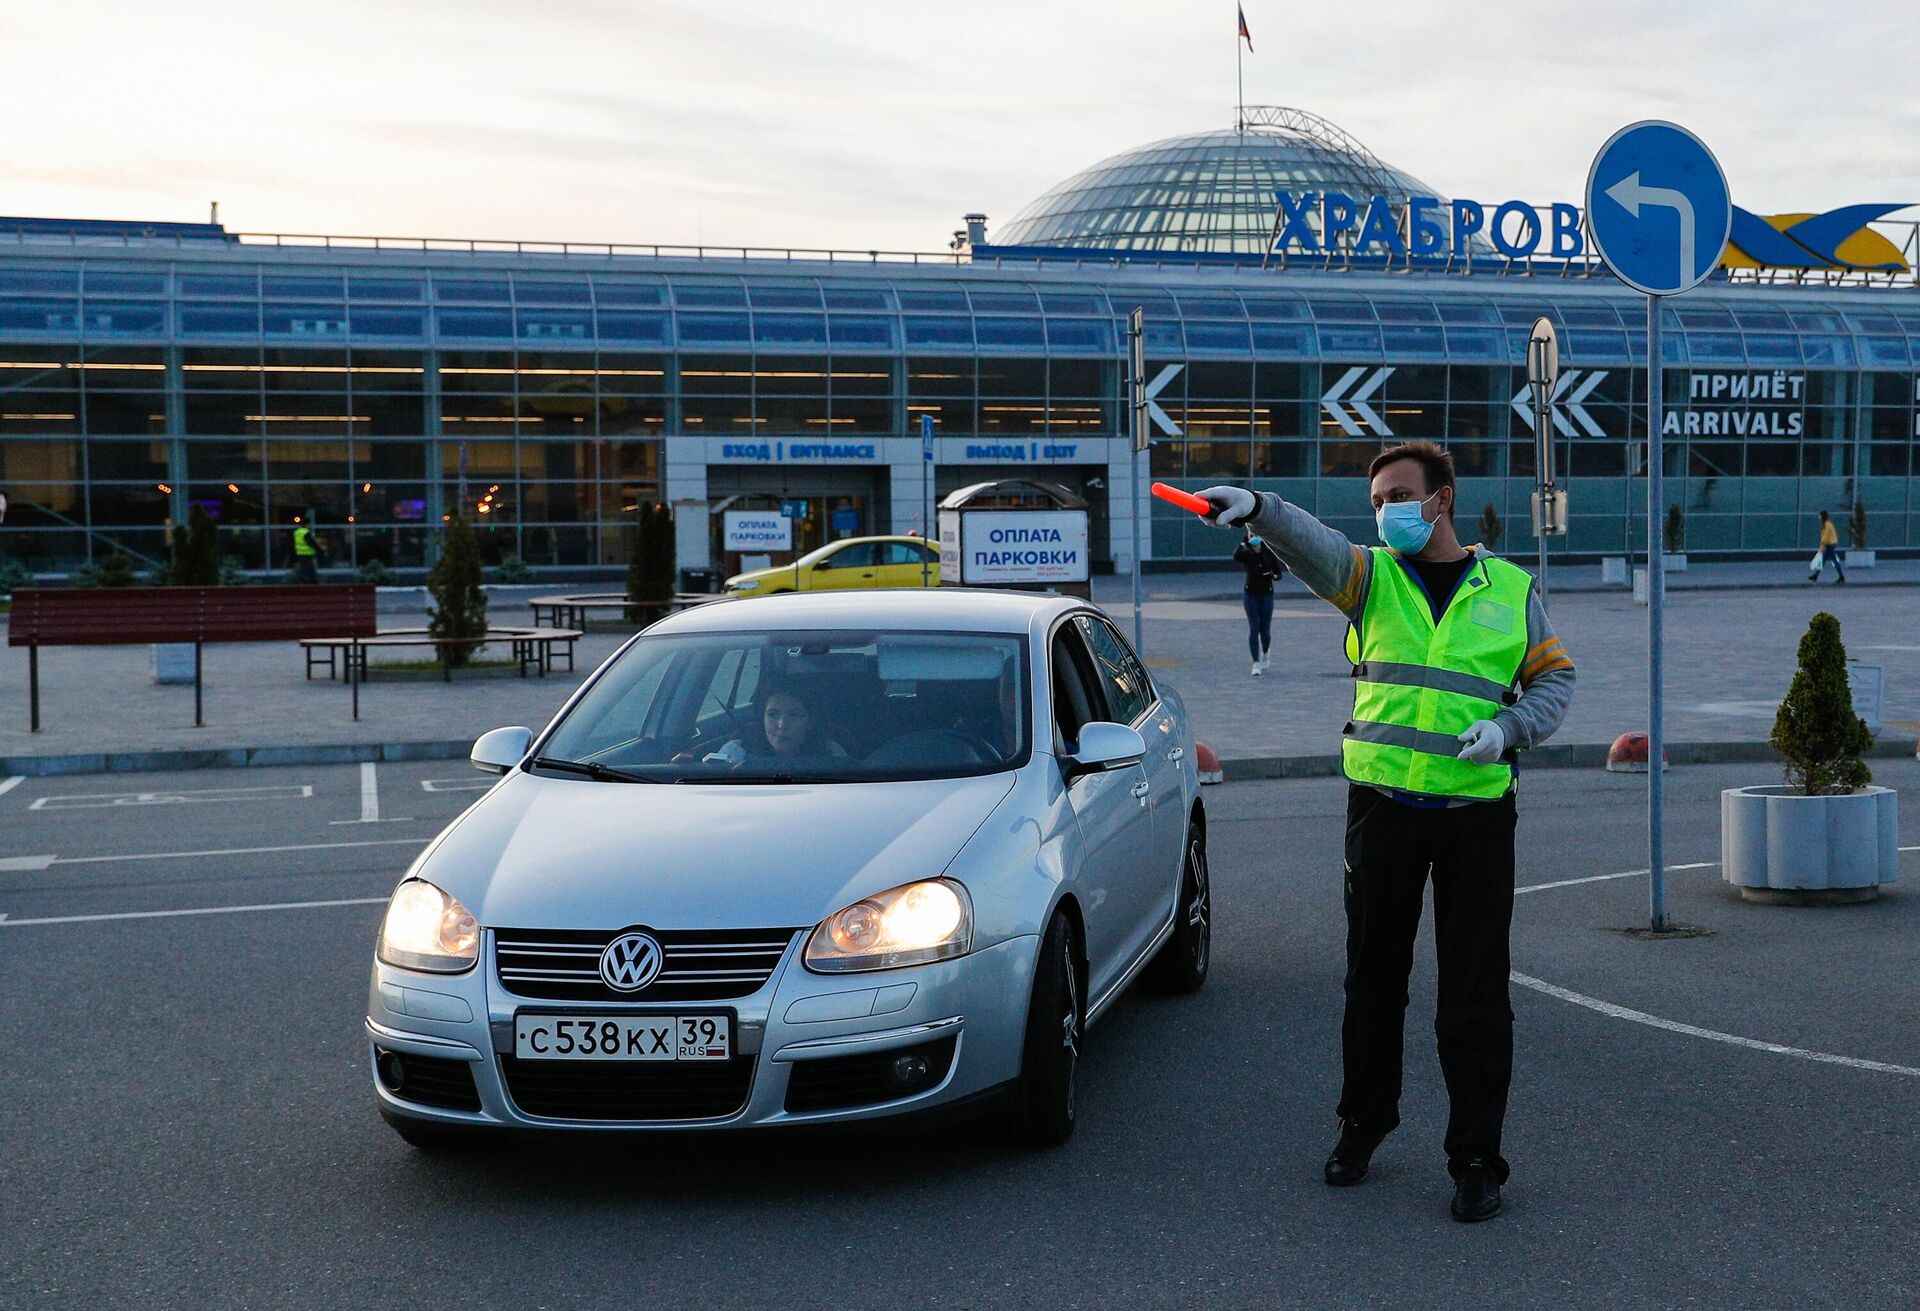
805	1047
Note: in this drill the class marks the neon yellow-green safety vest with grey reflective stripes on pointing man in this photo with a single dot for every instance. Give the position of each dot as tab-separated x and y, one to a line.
1420	684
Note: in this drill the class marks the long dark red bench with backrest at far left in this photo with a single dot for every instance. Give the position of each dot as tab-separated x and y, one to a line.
112	617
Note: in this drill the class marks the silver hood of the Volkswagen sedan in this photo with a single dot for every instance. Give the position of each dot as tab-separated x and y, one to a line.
542	853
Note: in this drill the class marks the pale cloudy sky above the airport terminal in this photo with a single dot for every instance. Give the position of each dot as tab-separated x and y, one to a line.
876	124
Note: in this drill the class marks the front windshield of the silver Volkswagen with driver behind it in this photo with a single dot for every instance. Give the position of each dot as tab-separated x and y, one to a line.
817	707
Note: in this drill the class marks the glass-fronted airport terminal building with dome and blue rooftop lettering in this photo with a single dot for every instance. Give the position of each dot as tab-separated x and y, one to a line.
546	391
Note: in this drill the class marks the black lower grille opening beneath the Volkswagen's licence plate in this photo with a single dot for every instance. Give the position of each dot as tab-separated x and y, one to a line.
629	1089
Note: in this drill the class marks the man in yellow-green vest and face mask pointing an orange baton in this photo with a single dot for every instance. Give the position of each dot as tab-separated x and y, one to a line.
1456	667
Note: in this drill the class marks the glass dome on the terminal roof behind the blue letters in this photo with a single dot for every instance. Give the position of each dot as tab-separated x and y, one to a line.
1209	193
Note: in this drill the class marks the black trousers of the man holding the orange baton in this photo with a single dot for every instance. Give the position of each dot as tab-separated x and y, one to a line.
1391	849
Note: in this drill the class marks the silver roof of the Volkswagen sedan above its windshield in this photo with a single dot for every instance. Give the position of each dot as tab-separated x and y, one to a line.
957	609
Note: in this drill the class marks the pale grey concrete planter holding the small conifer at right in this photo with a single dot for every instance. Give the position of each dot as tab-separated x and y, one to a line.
1785	847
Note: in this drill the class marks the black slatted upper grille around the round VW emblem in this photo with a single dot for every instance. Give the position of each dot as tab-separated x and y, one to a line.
700	965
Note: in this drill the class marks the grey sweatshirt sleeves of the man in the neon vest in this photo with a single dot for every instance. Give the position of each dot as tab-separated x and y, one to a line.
1339	573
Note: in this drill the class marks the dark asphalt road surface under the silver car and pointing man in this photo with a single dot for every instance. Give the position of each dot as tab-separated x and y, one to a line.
1708	1122
